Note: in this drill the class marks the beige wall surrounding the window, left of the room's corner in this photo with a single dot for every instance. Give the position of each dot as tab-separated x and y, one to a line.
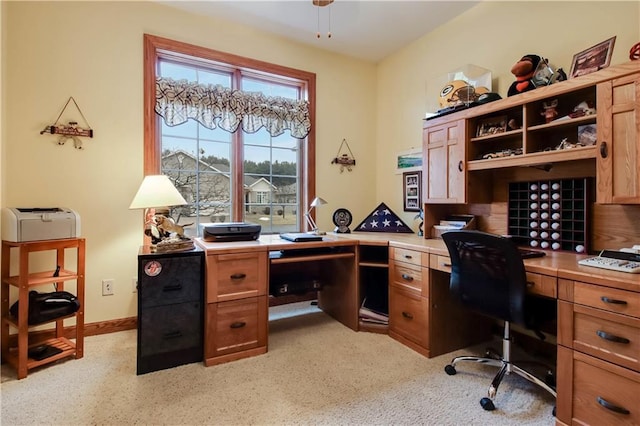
93	52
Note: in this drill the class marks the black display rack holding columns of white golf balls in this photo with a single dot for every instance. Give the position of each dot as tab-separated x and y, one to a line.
551	214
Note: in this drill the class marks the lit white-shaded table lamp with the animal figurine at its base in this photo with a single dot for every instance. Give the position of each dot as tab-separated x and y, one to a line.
157	191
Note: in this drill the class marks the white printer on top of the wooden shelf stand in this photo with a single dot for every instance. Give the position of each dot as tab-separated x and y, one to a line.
34	224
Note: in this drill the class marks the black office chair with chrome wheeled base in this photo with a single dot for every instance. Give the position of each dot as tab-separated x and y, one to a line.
488	276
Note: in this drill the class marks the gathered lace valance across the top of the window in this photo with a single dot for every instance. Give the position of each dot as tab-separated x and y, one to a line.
217	106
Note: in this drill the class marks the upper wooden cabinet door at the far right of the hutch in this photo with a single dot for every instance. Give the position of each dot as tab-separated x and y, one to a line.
618	145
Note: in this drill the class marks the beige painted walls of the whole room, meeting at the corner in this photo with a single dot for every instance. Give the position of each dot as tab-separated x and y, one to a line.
93	52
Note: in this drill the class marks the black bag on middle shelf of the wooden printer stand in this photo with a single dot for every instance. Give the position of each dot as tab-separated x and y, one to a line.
45	307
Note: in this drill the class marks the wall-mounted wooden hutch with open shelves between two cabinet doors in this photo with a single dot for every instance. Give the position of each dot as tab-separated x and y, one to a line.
513	132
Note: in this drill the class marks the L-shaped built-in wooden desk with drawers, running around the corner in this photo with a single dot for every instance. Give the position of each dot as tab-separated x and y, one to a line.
598	311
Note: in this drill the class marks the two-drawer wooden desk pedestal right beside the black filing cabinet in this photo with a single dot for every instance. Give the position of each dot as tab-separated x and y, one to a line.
237	307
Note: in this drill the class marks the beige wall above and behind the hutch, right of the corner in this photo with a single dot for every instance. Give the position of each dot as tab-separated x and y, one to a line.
493	35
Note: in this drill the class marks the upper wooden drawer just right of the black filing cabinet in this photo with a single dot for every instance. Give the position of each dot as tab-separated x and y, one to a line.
236	276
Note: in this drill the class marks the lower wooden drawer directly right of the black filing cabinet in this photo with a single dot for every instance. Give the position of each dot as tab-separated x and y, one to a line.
236	326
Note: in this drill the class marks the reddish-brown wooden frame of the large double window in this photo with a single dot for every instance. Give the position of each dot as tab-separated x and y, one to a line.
155	47
